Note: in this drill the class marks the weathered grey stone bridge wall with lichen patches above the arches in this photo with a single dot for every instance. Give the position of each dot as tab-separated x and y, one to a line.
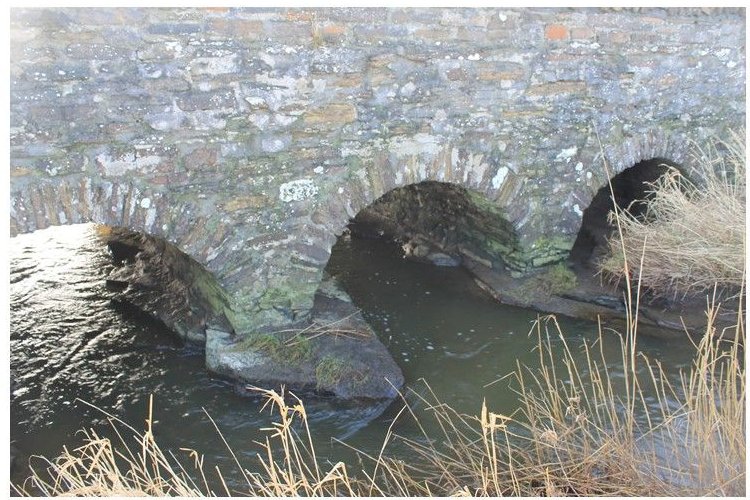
249	138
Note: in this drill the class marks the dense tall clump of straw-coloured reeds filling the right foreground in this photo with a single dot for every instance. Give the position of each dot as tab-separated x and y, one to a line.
574	435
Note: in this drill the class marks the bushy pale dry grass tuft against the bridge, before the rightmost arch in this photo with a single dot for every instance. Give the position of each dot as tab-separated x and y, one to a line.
693	235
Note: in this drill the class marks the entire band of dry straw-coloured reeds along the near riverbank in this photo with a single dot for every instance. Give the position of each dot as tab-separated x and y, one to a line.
582	430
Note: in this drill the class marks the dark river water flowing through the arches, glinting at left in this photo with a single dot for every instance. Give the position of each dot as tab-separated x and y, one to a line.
70	343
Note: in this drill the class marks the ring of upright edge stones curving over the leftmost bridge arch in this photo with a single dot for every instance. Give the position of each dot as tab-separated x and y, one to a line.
138	215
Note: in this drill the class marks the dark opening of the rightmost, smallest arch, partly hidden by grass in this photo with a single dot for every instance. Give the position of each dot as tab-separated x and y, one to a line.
631	188
